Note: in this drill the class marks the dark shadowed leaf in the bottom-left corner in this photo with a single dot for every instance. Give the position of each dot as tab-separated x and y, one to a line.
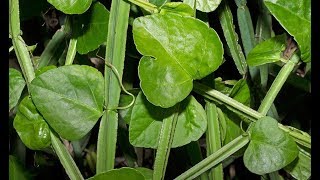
16	170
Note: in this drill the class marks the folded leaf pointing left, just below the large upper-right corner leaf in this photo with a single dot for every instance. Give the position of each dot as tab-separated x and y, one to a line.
268	51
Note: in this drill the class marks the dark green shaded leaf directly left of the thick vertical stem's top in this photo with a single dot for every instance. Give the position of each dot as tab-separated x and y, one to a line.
93	27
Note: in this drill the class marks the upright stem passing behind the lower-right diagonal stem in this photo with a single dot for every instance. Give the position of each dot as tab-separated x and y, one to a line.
213	138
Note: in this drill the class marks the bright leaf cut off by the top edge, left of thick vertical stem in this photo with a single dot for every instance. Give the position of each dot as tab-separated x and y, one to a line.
71	6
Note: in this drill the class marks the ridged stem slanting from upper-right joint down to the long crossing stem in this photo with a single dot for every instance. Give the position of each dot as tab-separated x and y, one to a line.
277	85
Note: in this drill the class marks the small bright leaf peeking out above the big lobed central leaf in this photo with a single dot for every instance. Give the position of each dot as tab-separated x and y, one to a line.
178	8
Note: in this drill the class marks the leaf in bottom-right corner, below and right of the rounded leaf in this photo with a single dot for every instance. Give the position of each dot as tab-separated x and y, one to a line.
300	168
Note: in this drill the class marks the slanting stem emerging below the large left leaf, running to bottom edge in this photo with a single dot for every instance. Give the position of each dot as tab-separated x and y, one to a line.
65	158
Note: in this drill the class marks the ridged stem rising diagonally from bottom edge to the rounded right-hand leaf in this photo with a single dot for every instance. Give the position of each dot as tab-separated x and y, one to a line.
215	158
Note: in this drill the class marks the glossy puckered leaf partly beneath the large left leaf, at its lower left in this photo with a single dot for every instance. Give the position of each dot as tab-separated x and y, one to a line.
30	126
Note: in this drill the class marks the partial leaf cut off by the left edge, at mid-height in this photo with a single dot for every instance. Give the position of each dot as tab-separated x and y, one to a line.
16	85
